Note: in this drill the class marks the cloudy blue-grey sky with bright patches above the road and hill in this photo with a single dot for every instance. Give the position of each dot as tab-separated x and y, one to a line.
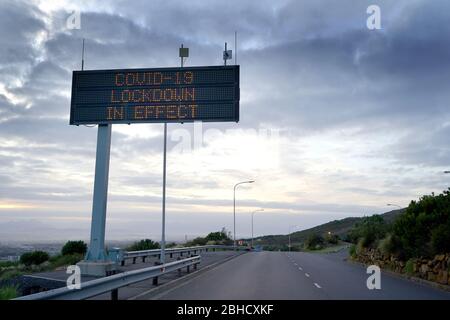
336	120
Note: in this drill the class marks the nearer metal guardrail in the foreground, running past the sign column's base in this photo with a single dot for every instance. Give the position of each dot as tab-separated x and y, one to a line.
113	283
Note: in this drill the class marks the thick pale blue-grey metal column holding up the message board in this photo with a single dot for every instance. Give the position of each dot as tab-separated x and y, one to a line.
96	250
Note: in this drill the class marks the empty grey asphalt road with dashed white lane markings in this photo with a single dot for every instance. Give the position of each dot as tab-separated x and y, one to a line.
279	275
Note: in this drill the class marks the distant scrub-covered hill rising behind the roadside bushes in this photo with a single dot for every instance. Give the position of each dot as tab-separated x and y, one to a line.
337	227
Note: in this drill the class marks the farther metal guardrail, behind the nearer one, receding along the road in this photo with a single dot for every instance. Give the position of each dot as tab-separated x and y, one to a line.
171	251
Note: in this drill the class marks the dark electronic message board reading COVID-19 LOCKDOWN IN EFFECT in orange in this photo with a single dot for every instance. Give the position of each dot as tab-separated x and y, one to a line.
155	95
